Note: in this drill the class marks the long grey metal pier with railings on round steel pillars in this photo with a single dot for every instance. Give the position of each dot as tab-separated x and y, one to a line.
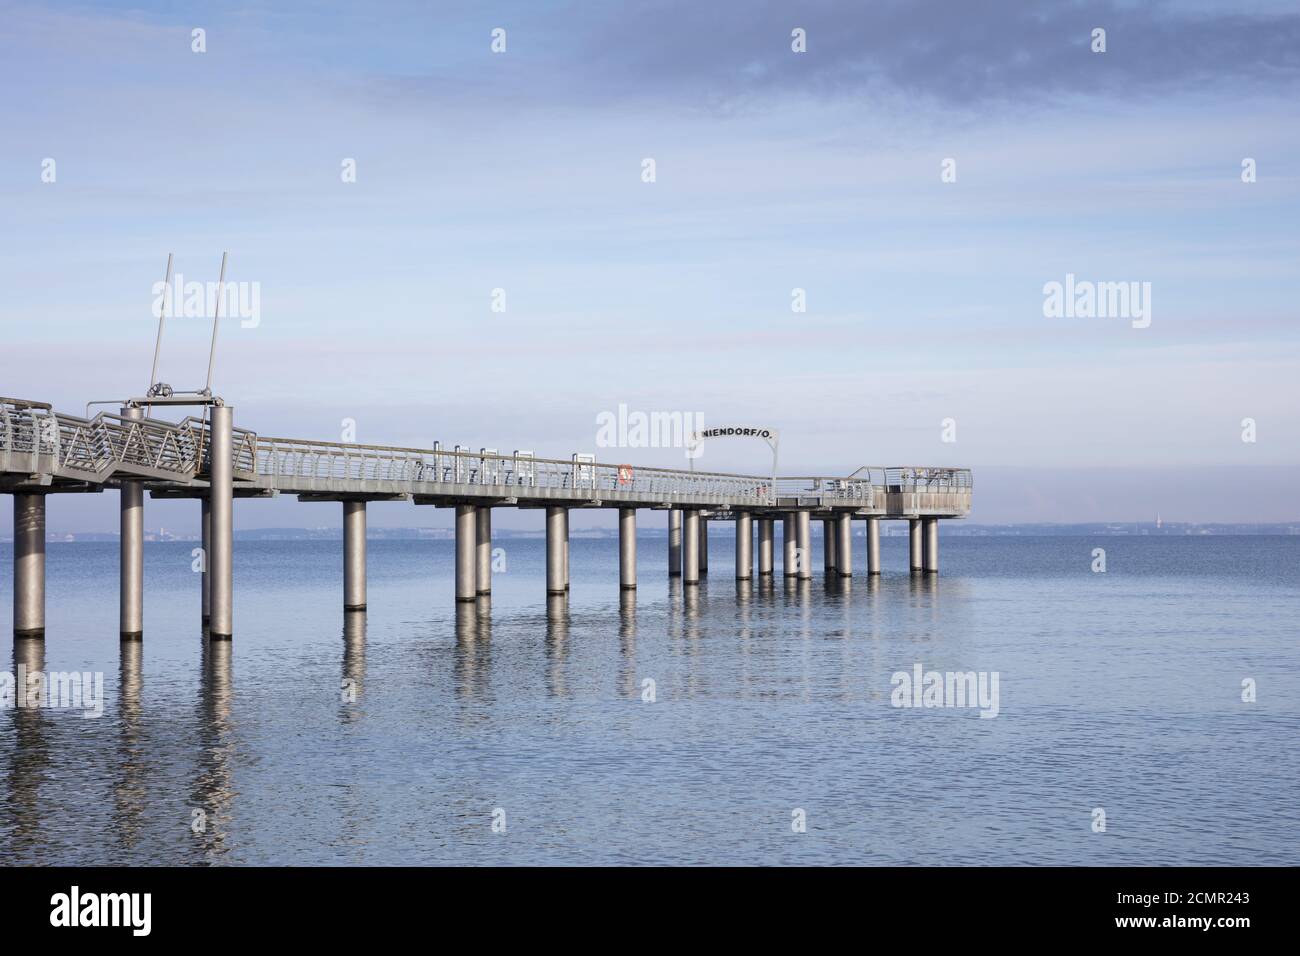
45	453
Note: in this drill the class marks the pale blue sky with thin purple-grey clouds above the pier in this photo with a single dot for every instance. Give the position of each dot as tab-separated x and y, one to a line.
774	171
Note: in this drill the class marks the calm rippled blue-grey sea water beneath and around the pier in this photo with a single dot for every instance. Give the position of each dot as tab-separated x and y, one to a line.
1120	691
